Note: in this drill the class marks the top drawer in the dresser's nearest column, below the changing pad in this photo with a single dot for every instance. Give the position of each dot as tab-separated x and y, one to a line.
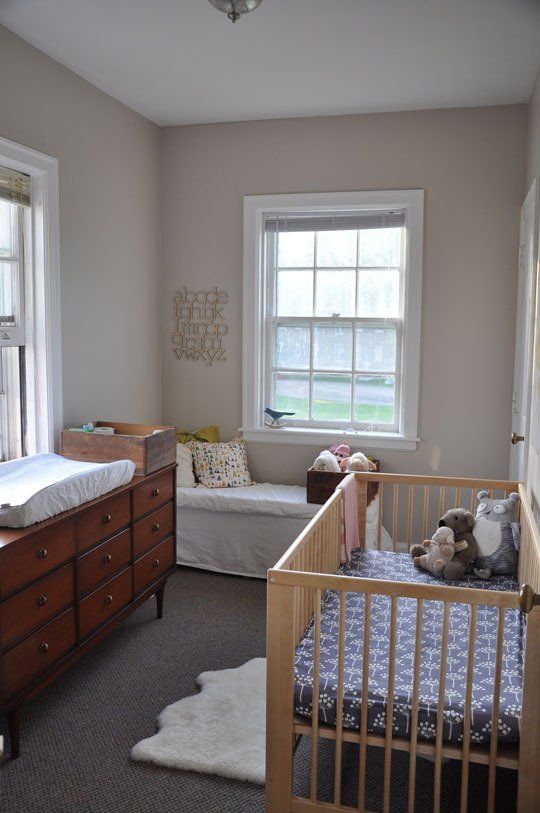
26	561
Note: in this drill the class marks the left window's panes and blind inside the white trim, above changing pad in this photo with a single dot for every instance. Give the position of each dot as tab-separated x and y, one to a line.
15	252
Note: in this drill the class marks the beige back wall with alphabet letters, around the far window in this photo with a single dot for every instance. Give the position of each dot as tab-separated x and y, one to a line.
471	164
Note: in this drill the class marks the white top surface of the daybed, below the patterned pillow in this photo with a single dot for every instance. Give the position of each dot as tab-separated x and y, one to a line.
260	498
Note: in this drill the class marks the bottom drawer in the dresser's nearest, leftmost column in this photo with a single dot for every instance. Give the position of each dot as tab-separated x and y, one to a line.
36	654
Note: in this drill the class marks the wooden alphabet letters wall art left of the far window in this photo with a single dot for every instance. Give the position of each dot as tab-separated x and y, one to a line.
200	325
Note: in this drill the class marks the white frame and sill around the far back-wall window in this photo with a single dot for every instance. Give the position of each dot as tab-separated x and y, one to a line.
254	309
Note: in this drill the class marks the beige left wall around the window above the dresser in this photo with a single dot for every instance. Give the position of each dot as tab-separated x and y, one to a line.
109	230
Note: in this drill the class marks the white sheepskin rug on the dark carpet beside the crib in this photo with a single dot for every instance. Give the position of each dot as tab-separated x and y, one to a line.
221	730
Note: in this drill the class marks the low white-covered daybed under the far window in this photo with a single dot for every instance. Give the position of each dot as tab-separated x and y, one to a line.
245	530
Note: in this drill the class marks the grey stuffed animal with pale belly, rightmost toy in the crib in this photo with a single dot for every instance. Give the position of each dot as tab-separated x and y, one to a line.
497	535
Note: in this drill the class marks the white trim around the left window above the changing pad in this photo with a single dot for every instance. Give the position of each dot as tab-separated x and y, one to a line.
43	308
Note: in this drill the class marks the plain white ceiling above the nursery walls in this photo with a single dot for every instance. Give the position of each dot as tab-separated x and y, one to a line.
183	62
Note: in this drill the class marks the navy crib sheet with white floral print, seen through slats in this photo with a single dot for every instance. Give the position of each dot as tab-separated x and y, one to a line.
399	567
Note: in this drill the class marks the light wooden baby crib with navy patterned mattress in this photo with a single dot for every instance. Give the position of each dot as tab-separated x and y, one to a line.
456	668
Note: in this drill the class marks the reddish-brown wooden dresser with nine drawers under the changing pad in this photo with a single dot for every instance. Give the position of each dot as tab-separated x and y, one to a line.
66	582
